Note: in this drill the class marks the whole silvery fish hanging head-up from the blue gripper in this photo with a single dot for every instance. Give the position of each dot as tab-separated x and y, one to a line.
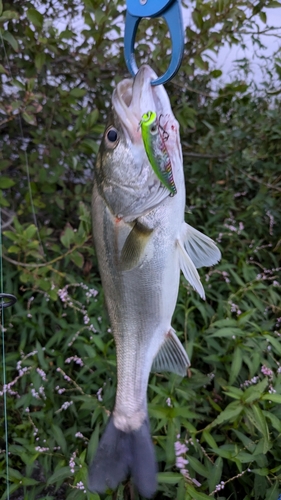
141	242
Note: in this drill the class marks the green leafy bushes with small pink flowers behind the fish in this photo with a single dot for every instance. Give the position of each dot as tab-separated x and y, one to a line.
60	357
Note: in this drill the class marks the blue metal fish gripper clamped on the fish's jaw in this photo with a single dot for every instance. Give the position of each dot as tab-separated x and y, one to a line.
170	10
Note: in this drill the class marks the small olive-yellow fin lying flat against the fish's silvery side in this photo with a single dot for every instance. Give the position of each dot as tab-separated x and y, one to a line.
133	250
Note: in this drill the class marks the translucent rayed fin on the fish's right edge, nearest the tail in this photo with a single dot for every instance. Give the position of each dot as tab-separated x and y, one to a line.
171	356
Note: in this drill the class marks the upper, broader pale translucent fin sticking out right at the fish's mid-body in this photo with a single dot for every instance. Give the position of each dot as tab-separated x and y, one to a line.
200	248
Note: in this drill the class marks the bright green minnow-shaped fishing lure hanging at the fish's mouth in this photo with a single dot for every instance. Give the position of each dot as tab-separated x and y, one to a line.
154	136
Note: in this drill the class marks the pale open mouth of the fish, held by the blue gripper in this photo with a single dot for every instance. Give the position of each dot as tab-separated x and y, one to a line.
135	96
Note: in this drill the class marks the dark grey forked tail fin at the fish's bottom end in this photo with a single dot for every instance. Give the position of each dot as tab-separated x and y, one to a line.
121	454
